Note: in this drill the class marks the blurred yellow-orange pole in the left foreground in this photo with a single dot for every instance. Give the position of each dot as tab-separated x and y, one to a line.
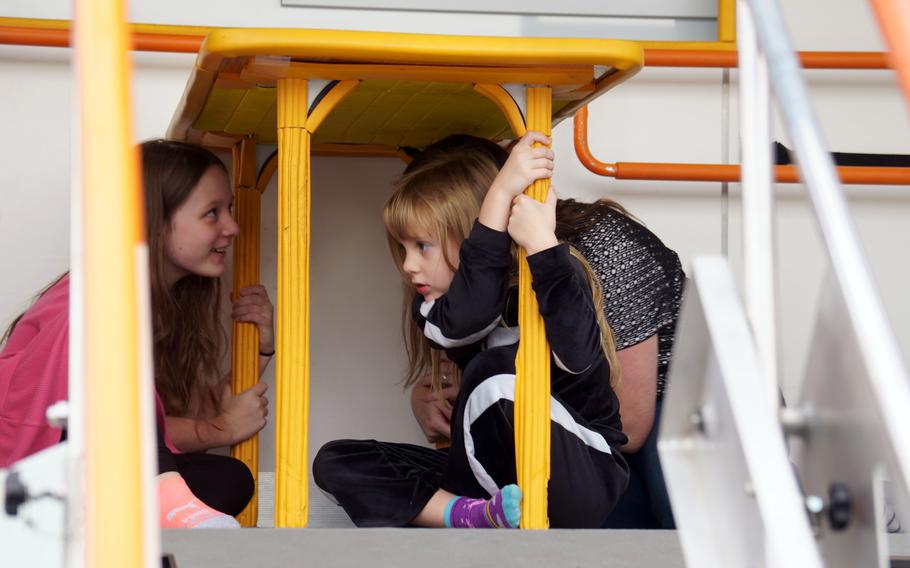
115	267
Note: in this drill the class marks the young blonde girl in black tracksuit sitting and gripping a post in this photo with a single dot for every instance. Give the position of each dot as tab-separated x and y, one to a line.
458	270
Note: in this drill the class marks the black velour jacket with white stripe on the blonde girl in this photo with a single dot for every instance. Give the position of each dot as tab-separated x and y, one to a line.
479	311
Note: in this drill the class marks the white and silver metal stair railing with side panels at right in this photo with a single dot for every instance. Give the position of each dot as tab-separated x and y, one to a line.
849	428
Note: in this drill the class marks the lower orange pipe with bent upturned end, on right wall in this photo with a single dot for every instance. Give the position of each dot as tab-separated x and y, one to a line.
860	175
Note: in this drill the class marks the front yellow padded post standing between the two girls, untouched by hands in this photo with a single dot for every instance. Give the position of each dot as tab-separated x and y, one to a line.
293	306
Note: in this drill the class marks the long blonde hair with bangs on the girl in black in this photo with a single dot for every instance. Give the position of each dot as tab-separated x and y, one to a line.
442	196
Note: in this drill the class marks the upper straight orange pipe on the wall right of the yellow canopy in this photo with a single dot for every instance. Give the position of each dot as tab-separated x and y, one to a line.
728	58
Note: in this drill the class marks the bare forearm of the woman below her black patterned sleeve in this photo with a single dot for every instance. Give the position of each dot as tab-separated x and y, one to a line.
637	392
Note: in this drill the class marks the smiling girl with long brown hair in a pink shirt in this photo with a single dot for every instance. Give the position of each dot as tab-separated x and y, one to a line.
190	225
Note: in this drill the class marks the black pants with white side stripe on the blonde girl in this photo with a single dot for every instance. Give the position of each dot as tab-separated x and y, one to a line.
388	484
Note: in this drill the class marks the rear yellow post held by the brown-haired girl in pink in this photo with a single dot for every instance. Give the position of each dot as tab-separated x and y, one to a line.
245	344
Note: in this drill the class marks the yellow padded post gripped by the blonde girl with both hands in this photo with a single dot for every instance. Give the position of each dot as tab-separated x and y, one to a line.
532	364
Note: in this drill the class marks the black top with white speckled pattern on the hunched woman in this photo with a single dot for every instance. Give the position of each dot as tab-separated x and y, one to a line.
642	283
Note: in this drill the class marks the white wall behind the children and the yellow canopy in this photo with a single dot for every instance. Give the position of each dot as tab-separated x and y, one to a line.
660	115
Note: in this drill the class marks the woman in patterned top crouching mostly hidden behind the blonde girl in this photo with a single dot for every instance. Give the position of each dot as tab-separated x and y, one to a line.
642	281
